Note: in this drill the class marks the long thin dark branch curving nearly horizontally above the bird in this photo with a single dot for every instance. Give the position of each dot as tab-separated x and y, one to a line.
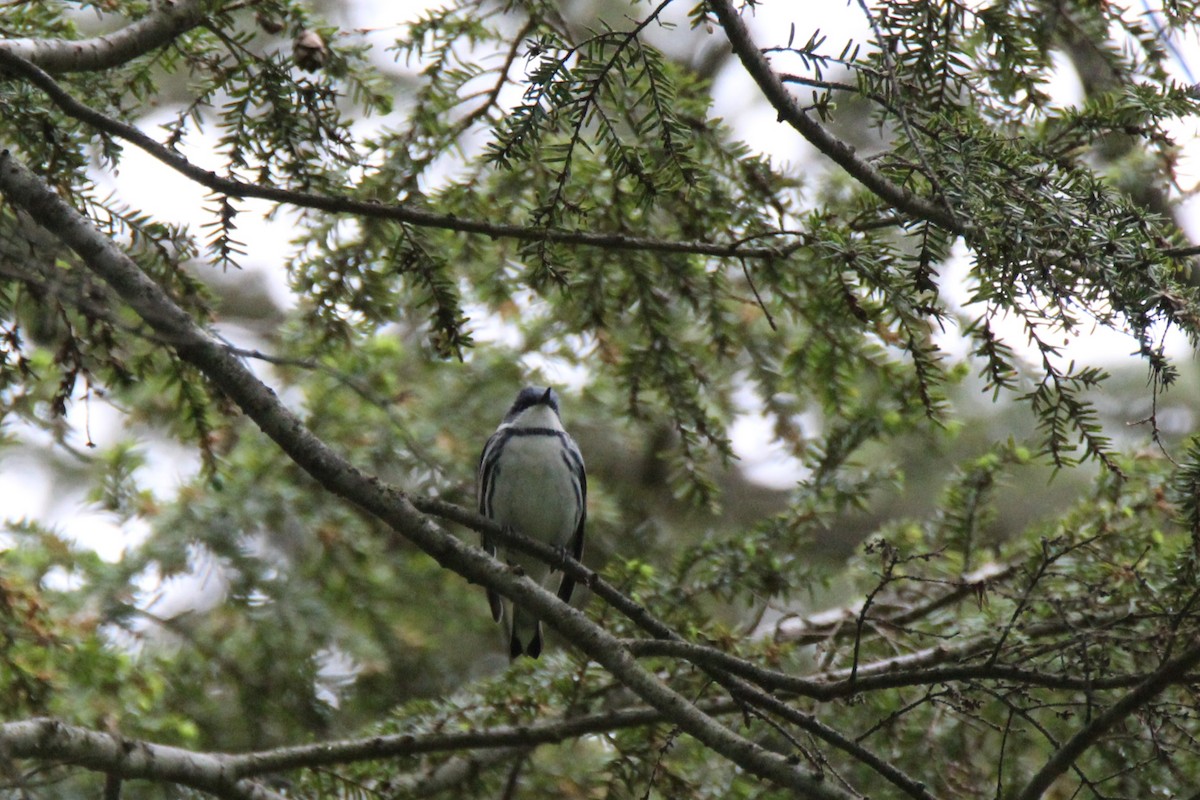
337	204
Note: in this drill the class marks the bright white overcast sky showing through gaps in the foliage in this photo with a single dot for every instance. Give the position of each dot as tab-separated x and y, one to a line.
26	483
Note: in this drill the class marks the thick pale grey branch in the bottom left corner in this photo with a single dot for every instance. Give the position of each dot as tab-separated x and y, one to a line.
53	742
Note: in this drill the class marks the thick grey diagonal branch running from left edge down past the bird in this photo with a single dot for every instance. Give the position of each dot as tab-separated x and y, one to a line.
29	194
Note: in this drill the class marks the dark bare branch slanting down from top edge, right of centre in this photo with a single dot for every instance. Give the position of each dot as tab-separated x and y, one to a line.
790	112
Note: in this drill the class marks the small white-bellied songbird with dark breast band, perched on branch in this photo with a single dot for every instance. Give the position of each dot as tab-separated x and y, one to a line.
531	479
